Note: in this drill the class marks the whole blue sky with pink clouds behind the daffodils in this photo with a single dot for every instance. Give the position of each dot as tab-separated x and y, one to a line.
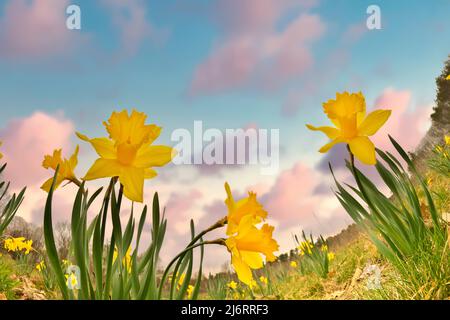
264	64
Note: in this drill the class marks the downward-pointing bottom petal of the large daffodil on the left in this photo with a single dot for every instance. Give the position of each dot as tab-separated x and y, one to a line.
132	180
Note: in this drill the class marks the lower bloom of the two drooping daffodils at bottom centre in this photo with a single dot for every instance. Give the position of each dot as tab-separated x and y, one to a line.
247	246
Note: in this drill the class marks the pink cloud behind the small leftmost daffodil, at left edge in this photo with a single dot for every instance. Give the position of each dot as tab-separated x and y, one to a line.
27	140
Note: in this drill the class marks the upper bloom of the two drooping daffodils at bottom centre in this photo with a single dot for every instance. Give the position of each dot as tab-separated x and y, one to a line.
245	207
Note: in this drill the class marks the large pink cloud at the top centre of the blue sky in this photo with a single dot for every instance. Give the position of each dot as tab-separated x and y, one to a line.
253	49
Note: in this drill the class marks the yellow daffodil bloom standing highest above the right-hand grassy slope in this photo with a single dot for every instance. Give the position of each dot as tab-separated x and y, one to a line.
352	125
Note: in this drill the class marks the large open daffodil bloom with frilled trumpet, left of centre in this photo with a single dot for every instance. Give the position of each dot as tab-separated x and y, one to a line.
128	153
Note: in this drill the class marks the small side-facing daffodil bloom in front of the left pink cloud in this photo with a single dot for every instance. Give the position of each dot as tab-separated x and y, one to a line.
66	168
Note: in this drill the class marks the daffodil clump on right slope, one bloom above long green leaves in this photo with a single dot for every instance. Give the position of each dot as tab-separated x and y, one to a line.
411	238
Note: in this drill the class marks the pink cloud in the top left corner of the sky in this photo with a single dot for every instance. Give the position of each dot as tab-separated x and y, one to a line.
36	29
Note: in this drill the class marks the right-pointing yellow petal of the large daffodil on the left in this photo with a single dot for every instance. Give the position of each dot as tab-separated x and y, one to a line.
153	156
